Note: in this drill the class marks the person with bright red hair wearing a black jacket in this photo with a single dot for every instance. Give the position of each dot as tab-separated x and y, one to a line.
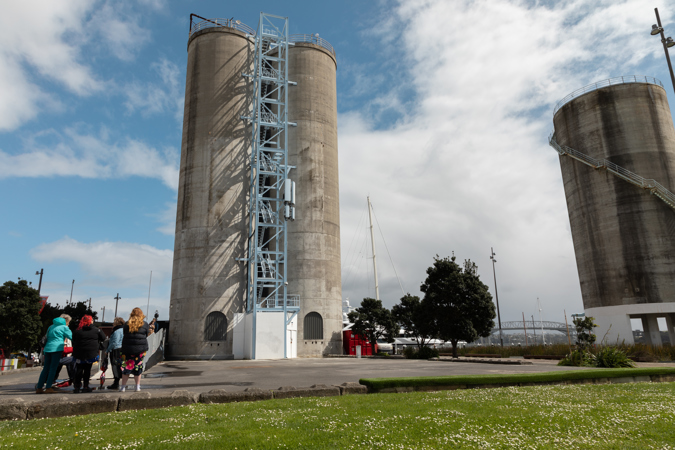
86	343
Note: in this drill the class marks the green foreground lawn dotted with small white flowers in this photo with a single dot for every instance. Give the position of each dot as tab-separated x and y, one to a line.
639	416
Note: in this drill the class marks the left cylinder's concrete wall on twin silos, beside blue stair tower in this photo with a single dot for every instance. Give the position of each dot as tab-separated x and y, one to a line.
211	223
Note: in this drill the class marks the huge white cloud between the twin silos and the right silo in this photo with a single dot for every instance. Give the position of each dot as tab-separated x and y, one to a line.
467	165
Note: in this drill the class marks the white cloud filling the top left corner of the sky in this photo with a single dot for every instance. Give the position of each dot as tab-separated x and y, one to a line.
49	40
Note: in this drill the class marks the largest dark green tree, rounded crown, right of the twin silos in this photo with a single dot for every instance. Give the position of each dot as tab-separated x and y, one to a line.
461	304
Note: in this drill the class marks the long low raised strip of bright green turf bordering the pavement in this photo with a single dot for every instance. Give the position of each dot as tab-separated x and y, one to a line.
377	384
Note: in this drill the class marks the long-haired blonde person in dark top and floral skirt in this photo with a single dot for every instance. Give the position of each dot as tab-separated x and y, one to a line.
134	347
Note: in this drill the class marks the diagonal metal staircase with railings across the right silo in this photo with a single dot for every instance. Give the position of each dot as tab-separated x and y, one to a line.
653	186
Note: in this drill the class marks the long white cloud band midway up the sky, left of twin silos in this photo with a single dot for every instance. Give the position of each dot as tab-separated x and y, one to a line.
89	156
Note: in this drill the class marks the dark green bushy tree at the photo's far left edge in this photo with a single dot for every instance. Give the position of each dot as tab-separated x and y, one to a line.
20	324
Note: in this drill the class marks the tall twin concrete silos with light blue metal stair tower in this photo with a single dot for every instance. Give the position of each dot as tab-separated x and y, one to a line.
257	275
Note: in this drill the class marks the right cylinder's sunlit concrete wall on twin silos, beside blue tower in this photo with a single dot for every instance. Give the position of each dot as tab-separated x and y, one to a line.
314	237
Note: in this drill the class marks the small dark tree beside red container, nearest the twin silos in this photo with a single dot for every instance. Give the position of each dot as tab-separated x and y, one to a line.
373	321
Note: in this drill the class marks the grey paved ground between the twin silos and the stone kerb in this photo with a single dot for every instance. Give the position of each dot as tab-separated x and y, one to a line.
203	376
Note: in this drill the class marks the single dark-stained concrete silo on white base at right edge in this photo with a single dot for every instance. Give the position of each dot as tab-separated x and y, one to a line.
617	146
